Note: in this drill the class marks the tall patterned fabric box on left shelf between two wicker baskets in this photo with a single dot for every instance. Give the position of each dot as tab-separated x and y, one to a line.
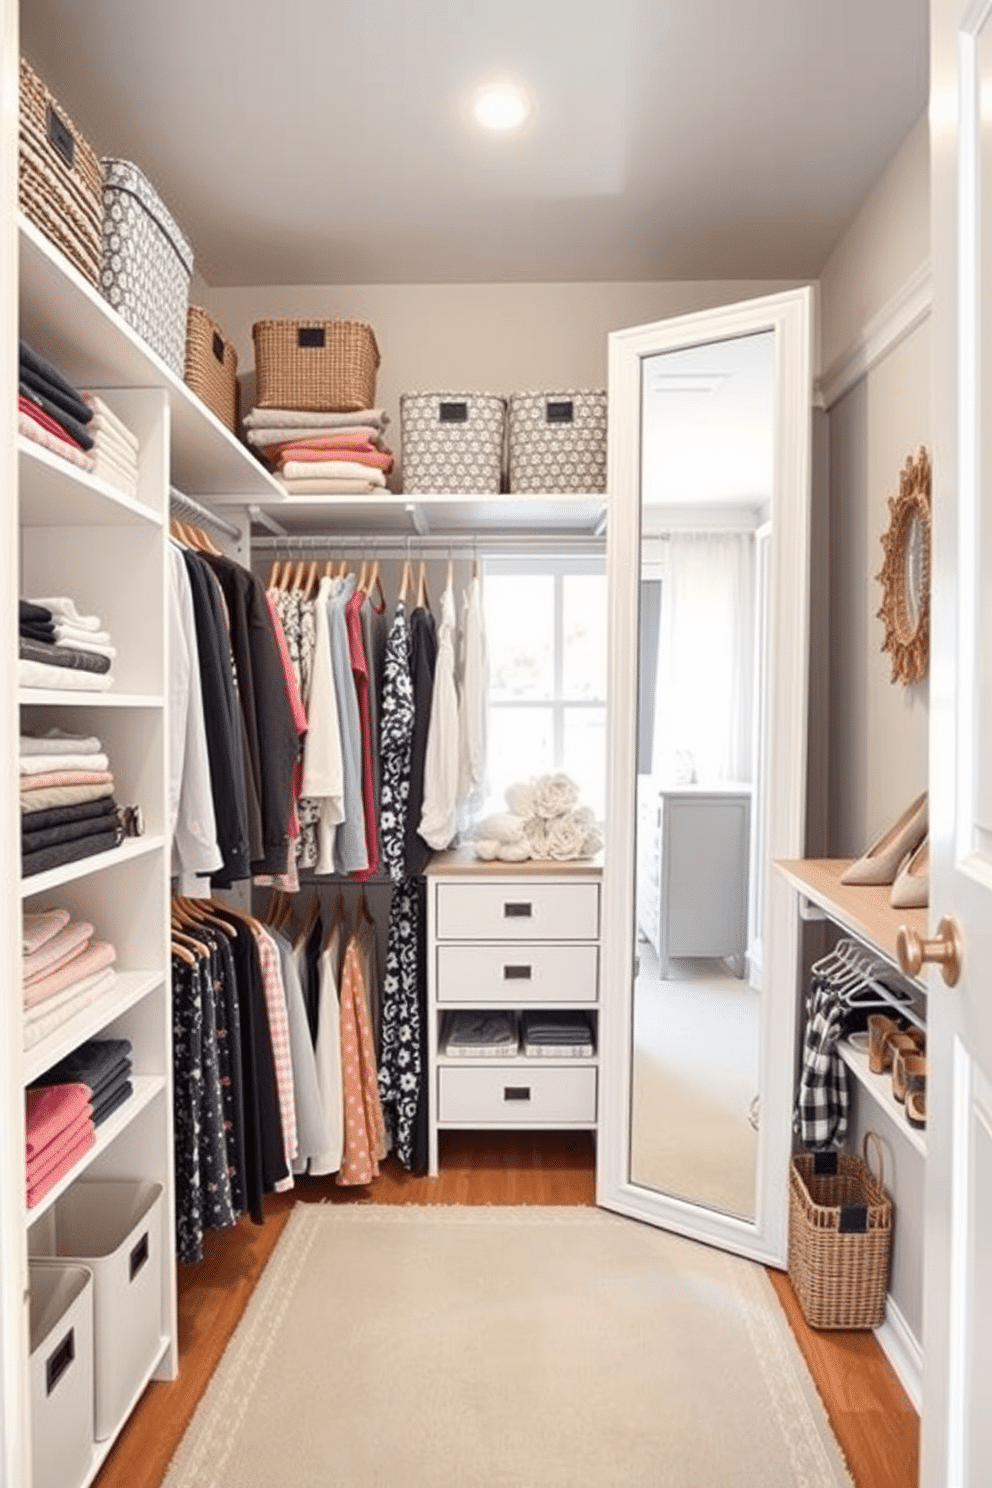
148	263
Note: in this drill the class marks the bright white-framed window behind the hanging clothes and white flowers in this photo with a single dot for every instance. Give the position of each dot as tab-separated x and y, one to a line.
547	638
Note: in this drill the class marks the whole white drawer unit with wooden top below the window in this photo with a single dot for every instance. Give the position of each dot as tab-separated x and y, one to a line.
517	938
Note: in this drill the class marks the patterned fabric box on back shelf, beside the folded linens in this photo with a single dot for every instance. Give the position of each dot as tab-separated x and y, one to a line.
453	443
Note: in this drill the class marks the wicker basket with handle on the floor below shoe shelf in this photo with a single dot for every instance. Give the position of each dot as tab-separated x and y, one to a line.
840	1237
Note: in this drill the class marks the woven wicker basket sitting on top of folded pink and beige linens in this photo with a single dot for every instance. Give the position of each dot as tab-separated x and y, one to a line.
321	367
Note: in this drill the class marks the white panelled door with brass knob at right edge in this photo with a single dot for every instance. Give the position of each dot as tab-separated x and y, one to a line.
957	1435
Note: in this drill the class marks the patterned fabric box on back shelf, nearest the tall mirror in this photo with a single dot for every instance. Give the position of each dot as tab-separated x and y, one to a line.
558	441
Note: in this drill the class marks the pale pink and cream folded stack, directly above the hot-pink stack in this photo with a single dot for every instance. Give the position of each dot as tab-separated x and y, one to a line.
63	971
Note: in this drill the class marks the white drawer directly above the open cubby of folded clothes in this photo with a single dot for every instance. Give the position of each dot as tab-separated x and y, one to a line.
518	975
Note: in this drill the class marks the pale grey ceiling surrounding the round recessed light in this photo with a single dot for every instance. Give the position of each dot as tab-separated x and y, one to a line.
328	141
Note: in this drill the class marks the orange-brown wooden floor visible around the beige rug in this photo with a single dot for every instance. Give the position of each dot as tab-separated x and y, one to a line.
871	1414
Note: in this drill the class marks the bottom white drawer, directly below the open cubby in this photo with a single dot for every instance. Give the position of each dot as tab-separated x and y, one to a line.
518	1097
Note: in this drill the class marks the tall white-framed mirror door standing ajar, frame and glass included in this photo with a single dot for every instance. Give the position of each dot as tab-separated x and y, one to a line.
710	431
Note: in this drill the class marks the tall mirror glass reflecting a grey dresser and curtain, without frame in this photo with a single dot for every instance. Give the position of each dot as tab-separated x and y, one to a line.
707	417
